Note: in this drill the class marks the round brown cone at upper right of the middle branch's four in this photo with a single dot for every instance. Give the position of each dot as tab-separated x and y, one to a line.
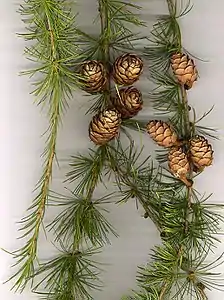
127	69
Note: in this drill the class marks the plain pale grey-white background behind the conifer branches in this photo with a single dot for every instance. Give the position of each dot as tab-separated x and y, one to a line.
22	125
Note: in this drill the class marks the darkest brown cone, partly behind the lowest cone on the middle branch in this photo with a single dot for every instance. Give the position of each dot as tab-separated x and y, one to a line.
128	102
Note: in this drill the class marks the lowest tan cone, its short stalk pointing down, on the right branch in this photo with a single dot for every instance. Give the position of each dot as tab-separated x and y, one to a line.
179	164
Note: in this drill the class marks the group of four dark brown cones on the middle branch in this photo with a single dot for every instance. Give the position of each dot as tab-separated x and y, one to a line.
127	102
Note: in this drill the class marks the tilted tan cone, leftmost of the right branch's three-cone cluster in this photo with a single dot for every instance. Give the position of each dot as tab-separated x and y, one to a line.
162	133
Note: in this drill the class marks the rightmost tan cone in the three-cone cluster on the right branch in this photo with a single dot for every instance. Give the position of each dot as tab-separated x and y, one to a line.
201	152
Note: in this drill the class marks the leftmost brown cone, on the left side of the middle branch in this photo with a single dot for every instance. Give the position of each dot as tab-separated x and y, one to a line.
95	76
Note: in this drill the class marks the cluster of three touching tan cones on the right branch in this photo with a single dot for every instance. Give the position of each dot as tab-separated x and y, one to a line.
196	152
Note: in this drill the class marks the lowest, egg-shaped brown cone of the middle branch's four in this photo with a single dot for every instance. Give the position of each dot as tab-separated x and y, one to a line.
104	126
